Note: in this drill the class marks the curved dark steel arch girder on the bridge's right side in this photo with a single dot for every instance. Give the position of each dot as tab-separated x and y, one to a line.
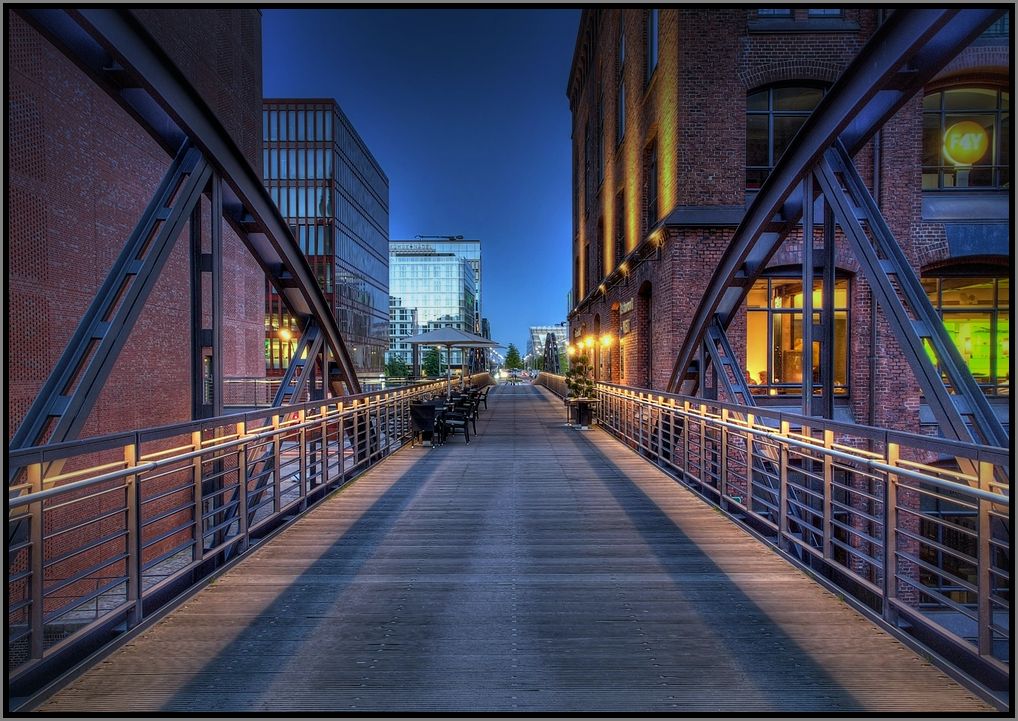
904	54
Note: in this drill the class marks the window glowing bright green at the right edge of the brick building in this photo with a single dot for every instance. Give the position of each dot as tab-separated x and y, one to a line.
978	317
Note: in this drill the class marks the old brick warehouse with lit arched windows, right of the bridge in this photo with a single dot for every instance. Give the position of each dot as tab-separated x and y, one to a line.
678	117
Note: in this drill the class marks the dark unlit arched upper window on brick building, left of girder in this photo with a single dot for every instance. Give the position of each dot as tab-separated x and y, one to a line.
774	116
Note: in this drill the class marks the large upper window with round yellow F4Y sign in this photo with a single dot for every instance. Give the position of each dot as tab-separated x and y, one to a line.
967	139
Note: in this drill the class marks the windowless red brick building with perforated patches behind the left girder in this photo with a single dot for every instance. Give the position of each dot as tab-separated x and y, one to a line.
81	174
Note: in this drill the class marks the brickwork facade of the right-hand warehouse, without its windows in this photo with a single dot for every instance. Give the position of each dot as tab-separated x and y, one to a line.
695	109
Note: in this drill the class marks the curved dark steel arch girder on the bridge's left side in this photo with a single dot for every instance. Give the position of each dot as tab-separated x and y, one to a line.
112	47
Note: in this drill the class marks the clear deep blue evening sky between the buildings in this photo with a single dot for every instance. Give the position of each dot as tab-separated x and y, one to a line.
467	114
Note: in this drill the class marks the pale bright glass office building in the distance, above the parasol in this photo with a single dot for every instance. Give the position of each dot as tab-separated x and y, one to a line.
438	283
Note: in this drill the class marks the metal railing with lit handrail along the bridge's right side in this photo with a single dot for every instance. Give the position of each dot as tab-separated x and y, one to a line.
887	518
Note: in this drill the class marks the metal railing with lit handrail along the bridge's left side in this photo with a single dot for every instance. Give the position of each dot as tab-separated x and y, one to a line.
133	520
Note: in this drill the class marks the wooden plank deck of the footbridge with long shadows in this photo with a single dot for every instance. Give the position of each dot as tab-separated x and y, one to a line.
540	569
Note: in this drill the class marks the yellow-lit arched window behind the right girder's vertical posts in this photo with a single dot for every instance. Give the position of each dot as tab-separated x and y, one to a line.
774	337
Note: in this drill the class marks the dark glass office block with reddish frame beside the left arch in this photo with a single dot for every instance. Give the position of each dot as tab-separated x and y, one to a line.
335	197
